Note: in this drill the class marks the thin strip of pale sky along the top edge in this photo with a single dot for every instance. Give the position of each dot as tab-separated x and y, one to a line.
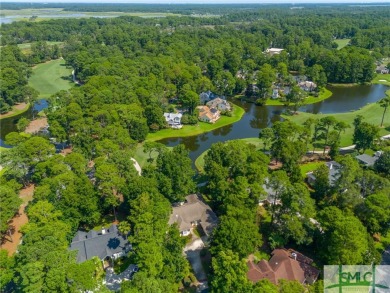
202	1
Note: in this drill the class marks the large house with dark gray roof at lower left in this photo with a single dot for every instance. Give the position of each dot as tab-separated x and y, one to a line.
107	243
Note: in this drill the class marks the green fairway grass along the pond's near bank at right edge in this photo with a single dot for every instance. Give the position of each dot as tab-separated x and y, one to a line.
372	114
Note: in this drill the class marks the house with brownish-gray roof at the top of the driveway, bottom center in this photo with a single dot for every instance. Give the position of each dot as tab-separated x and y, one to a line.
193	212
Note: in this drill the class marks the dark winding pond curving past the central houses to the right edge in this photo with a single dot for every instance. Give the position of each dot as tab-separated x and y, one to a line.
344	99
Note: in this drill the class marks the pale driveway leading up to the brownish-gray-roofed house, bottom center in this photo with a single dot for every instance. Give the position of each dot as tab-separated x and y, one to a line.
192	251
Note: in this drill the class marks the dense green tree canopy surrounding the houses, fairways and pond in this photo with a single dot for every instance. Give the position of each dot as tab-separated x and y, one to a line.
128	72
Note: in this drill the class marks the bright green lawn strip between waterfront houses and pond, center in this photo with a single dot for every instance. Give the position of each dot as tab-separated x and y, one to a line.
201	127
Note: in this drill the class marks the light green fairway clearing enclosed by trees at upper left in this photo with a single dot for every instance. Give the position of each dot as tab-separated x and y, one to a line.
51	77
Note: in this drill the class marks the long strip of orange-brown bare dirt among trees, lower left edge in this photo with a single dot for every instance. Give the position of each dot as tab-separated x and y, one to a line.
18	221
